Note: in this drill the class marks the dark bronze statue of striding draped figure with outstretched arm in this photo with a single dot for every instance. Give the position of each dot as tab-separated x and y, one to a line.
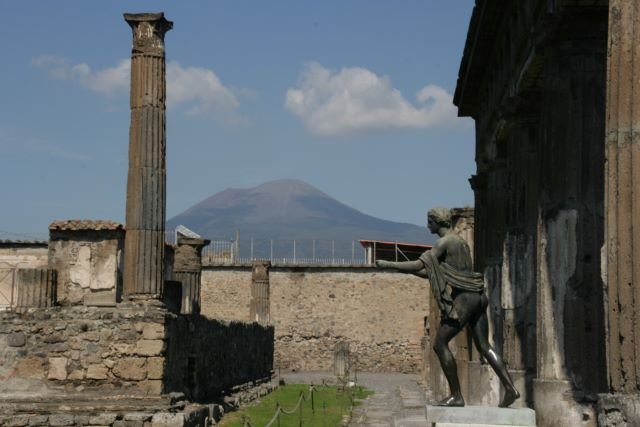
459	293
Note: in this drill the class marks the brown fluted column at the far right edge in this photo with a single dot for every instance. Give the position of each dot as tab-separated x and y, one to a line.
621	254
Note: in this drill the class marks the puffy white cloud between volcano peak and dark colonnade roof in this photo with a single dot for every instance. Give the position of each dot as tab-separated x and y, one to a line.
356	100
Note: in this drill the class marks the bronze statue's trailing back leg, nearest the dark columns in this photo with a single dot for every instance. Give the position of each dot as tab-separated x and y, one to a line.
479	327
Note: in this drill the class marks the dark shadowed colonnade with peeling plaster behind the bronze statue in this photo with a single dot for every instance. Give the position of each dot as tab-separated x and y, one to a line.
533	78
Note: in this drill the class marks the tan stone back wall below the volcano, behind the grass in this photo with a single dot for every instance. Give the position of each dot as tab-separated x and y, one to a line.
380	314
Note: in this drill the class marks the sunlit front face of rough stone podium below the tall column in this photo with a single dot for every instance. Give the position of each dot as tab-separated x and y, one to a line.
82	349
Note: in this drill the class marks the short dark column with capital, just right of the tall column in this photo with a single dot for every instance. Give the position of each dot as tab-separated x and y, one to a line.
188	270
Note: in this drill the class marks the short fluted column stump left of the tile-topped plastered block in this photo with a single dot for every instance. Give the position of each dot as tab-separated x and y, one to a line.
36	288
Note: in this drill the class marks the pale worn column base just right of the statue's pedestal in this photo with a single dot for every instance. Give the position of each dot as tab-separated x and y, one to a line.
556	406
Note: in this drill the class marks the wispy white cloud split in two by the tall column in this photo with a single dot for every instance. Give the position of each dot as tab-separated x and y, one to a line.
198	90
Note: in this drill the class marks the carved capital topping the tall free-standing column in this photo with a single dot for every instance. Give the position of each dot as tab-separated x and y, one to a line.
148	32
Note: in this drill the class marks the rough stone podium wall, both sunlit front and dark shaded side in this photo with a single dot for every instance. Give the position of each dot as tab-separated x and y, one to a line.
130	350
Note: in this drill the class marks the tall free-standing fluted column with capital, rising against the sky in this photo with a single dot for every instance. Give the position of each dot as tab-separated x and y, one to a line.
146	198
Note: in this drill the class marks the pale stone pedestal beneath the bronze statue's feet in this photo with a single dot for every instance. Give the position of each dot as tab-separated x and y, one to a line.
479	416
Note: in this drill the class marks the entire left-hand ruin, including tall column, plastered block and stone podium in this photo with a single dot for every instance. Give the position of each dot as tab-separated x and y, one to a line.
101	325
